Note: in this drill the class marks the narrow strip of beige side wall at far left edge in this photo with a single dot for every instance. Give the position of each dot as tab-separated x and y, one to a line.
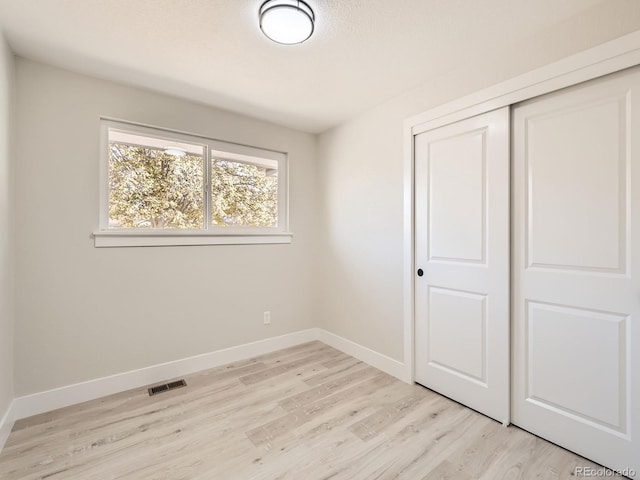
6	257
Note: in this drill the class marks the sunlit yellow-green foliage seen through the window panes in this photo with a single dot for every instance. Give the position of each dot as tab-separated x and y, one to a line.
149	188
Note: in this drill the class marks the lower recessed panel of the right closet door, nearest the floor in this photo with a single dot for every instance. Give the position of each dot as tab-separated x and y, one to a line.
560	342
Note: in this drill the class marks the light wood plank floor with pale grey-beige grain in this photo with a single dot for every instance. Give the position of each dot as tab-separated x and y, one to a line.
305	413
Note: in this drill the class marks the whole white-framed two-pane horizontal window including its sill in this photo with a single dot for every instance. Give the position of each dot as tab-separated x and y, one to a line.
160	187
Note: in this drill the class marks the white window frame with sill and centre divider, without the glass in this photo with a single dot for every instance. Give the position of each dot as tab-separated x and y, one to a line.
208	235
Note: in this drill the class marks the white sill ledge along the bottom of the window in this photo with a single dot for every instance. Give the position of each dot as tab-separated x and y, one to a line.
119	238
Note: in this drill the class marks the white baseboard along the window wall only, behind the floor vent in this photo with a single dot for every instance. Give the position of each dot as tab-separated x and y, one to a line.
41	402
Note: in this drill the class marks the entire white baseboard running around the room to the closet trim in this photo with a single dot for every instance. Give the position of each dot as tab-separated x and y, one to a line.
42	402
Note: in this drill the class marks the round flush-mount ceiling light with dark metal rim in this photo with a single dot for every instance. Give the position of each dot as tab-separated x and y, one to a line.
287	21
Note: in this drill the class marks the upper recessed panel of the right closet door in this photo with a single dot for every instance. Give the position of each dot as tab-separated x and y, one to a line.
577	213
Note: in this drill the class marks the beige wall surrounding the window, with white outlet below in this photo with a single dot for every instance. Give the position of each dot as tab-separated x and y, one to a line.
85	312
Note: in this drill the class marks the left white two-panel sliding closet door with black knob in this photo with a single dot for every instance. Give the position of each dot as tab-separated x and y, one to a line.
462	252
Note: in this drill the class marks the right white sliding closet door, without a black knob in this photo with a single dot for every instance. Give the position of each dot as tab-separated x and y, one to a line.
576	268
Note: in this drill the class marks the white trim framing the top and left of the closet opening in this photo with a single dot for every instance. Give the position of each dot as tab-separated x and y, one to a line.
609	57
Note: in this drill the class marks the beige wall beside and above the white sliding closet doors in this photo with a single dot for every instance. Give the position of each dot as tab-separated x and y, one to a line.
361	179
